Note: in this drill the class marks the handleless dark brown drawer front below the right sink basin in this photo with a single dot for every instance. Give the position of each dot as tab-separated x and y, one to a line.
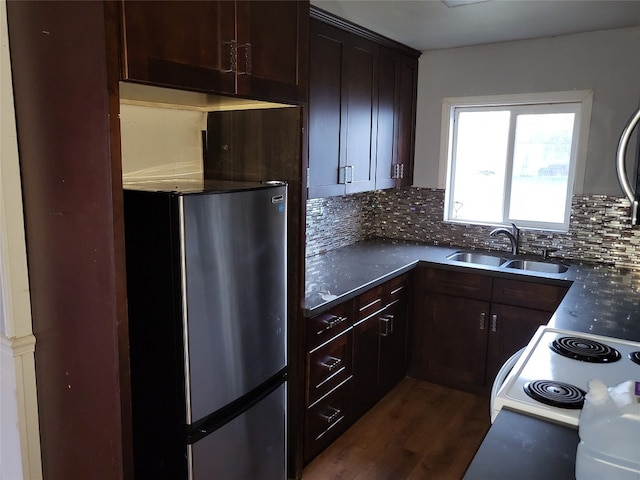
528	294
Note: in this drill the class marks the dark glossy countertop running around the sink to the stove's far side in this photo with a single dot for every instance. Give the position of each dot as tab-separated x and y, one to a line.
602	300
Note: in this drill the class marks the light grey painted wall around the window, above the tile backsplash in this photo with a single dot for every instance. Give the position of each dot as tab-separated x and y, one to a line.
606	62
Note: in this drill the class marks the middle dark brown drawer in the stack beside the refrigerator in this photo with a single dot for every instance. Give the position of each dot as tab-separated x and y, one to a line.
329	365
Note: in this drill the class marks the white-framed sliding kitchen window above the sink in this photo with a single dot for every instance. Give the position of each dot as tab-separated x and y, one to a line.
515	160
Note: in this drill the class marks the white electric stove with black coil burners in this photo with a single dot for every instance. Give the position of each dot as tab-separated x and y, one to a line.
551	375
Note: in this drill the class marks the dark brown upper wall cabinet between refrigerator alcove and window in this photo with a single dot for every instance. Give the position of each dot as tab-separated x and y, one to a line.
362	103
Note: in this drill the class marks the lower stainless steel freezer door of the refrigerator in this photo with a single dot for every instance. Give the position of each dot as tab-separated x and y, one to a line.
252	446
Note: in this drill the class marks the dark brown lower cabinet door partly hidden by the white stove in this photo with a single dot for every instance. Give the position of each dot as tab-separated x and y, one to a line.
510	329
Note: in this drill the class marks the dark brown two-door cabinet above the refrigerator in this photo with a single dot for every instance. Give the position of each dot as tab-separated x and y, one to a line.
246	48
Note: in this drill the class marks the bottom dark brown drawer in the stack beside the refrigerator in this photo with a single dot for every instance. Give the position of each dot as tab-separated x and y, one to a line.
327	420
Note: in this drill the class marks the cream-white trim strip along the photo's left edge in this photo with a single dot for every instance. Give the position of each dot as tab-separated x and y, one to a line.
19	433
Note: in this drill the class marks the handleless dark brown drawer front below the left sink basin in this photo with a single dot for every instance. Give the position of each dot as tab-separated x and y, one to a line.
461	284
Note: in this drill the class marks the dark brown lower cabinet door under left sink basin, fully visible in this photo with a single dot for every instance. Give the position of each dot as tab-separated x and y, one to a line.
454	341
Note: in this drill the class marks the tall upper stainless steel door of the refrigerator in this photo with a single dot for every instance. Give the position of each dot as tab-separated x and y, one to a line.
234	262
